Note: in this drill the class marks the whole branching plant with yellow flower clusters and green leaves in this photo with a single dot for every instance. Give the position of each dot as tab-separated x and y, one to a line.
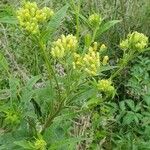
75	77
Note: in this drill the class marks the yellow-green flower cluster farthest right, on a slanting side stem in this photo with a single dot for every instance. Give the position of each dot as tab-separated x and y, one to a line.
136	41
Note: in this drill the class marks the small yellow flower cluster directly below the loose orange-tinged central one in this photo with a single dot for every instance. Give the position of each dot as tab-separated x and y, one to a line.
105	86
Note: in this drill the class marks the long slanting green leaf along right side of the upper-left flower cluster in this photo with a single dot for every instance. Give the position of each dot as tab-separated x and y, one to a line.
55	22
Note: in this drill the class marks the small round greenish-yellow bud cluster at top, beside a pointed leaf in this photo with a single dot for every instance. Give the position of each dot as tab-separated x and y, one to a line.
95	19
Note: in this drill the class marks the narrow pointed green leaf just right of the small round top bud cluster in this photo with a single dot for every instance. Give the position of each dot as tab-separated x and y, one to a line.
106	26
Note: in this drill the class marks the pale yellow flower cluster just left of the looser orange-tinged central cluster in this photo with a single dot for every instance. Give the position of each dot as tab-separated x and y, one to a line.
63	46
